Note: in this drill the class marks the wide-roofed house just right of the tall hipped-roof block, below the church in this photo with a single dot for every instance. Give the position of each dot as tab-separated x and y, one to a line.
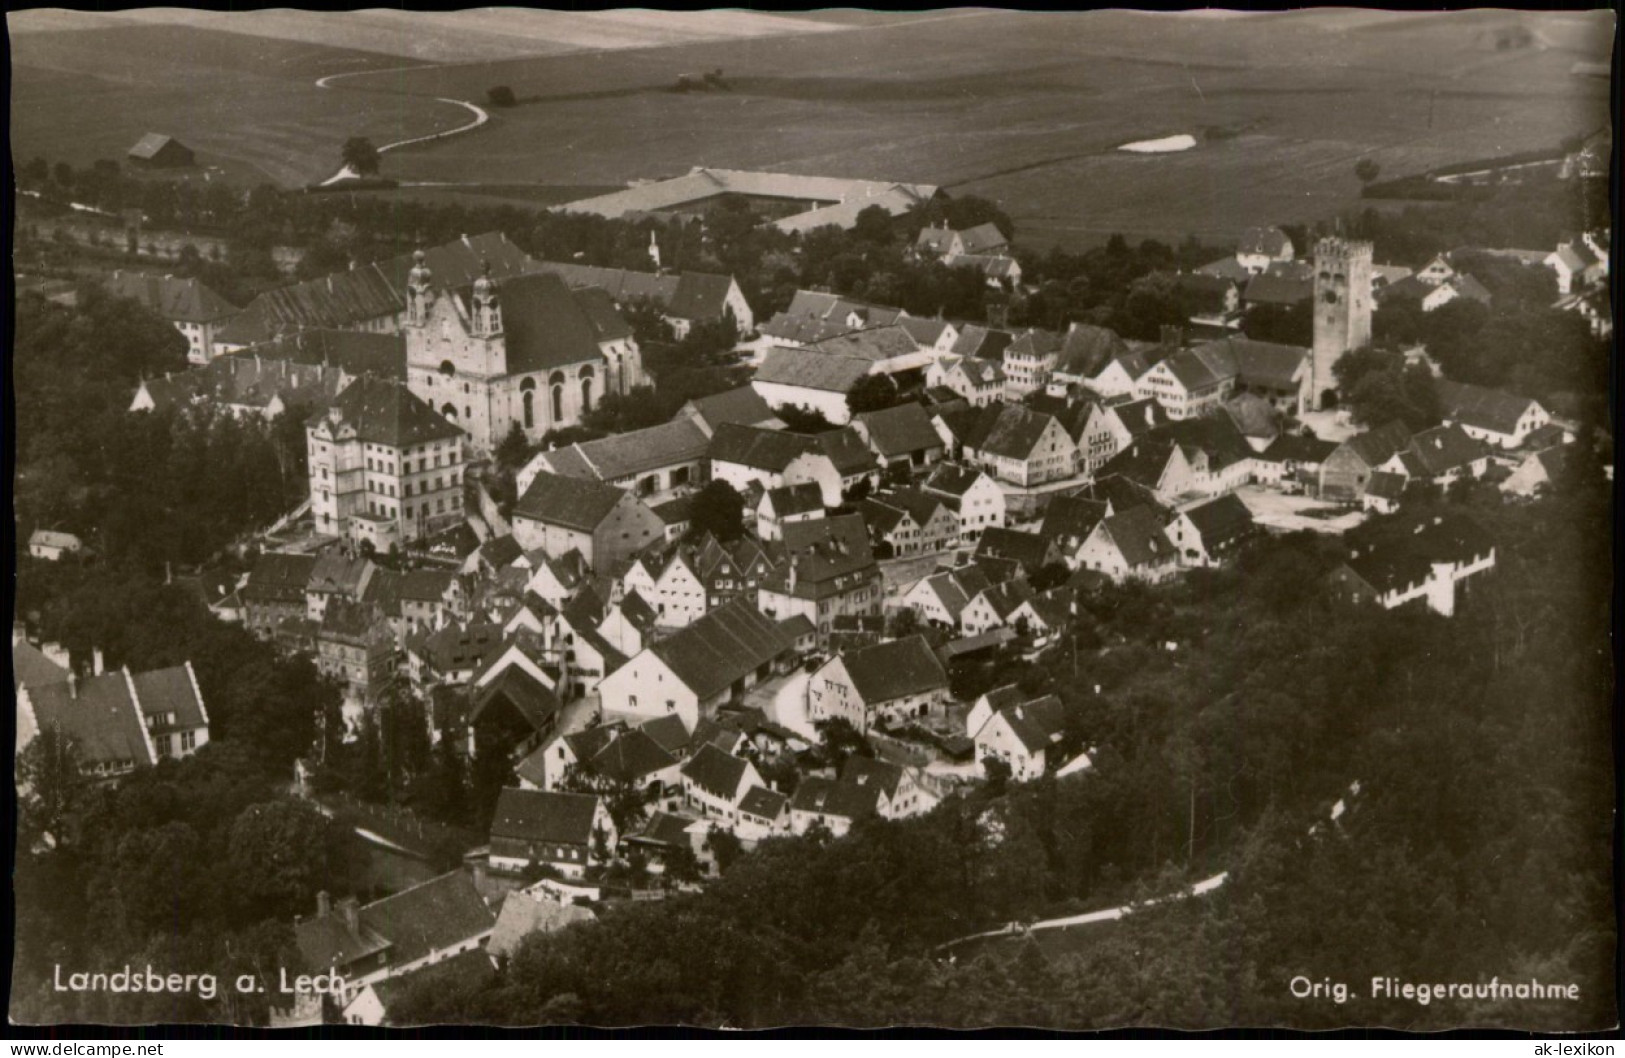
605	524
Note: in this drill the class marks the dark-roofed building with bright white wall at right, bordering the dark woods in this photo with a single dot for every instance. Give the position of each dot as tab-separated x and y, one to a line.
1428	565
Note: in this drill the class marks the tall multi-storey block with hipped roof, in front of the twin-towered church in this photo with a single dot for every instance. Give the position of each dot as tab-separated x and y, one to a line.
384	467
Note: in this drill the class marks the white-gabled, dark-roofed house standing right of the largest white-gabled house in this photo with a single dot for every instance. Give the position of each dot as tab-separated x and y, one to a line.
886	685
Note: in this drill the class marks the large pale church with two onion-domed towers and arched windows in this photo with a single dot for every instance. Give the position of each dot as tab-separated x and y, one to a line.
527	352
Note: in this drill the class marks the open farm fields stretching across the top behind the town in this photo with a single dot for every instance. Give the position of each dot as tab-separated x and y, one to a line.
1023	108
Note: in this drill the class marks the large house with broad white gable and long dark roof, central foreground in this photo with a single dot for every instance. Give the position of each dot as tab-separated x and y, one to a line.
698	669
